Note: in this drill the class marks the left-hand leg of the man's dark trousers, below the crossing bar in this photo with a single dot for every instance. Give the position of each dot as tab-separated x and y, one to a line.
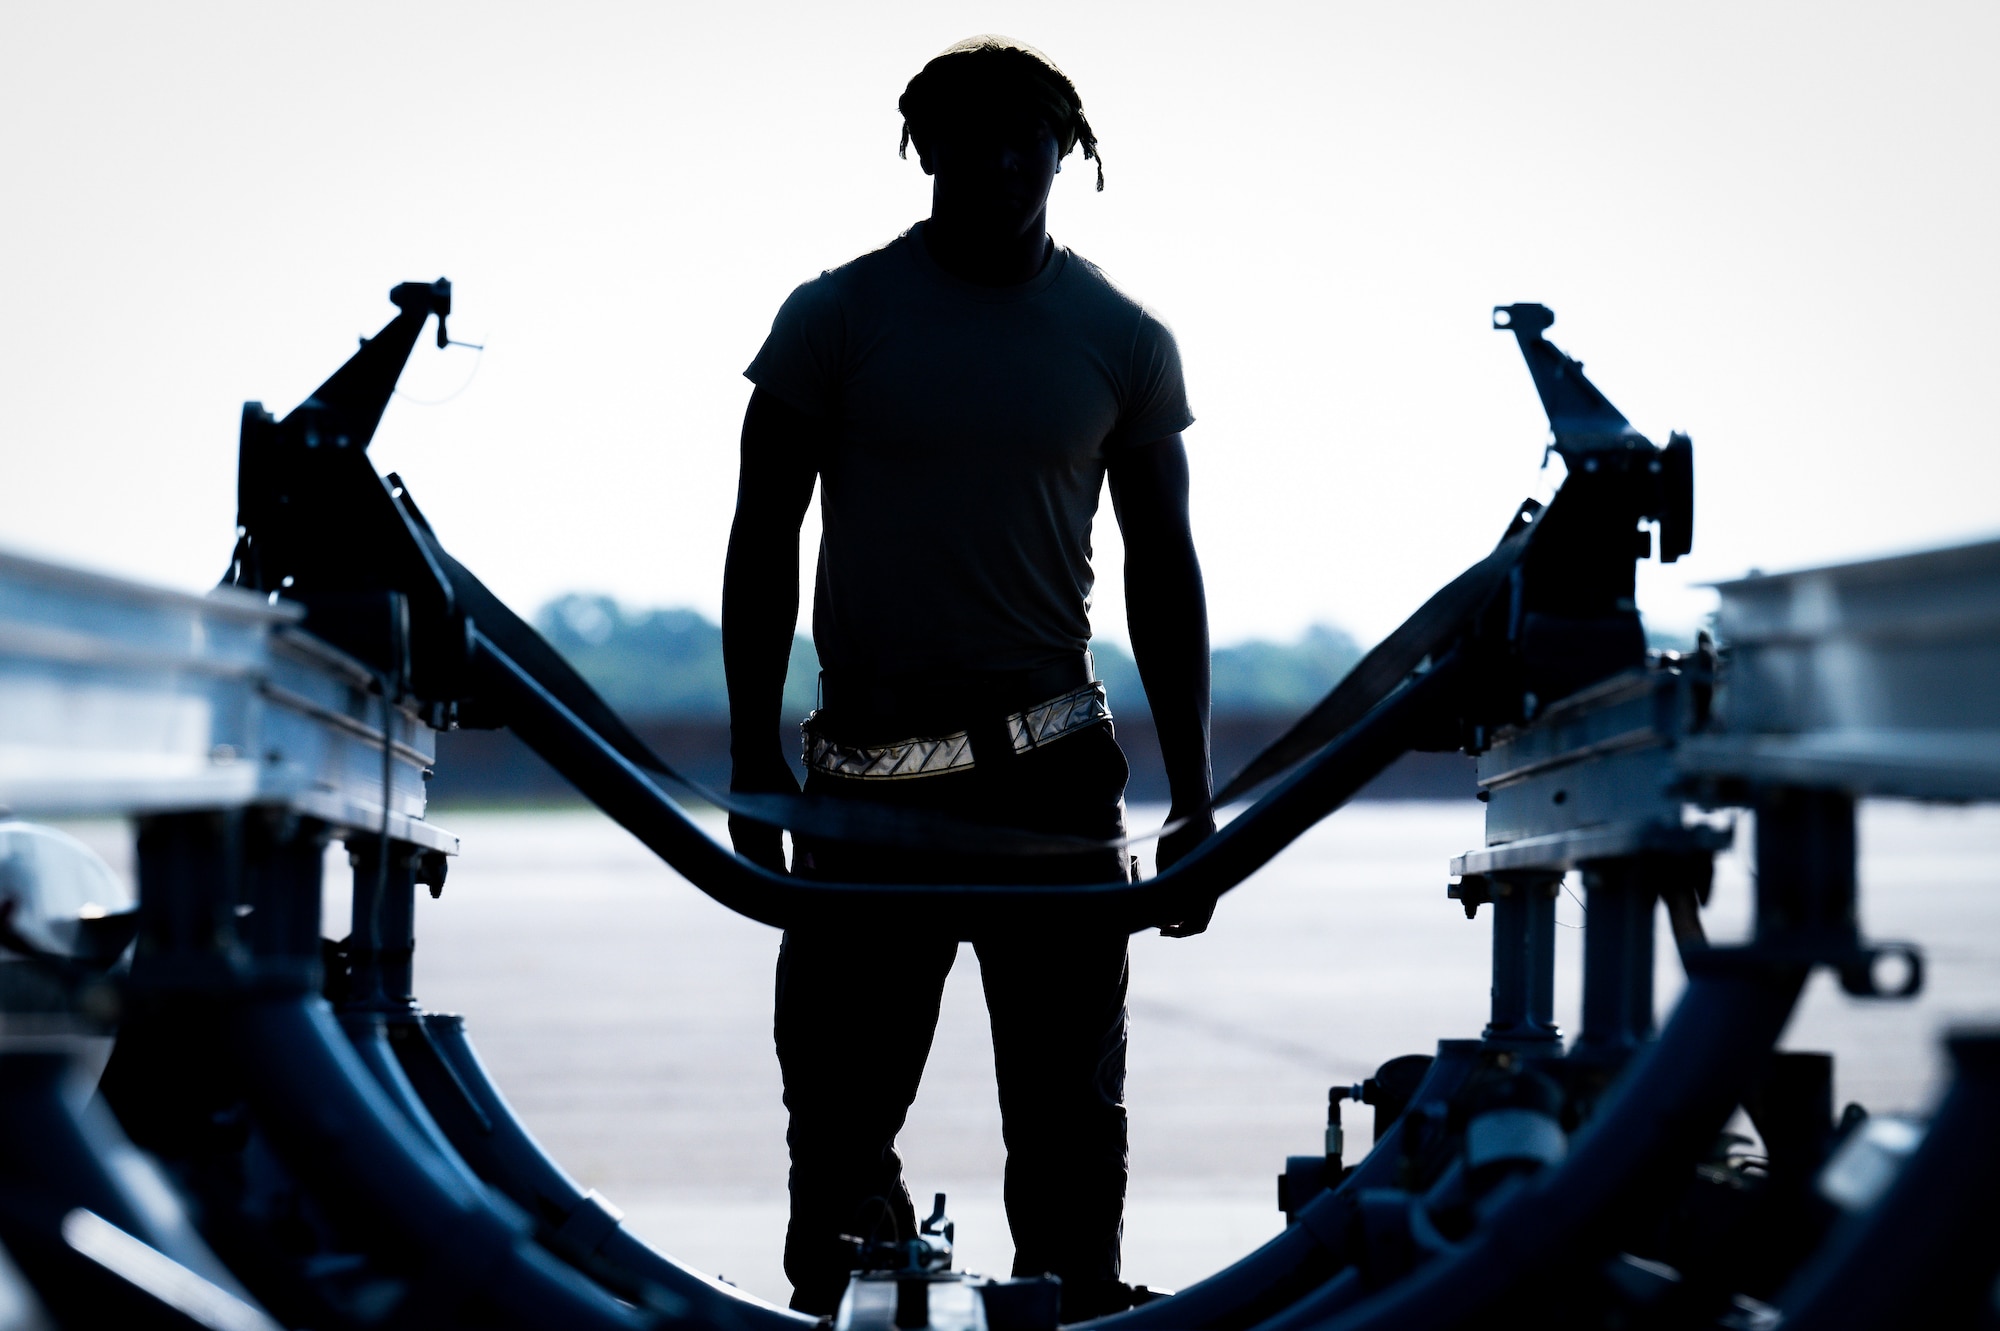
855	1018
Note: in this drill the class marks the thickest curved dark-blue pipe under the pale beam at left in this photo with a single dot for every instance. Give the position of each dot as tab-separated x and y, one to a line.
231	1016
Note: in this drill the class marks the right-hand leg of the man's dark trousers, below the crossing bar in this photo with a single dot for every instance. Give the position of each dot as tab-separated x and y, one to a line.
1059	1020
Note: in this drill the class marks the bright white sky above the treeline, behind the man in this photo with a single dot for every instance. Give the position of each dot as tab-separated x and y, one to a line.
1773	227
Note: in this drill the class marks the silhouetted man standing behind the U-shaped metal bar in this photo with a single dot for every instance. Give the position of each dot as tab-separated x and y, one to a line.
961	399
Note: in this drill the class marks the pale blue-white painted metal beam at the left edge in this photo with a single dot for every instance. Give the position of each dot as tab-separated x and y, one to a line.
125	700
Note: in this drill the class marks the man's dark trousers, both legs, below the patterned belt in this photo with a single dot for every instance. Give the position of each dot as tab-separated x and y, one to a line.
857	1012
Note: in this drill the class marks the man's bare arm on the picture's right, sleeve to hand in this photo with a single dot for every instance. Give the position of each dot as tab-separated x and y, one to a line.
1167	615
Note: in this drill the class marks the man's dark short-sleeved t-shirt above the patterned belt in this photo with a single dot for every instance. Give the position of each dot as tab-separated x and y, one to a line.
967	449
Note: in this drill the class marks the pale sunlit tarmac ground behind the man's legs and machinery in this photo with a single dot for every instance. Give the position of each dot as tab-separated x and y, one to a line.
629	1020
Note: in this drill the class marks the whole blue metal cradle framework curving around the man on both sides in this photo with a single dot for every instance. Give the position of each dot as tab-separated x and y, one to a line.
333	1156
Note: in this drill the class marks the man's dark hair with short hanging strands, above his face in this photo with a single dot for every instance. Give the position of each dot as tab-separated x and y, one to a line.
993	71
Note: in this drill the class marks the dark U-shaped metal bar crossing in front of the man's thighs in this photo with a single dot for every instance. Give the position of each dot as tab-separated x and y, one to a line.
621	788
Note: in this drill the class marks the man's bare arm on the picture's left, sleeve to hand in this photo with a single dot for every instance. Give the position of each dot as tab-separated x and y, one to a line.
761	605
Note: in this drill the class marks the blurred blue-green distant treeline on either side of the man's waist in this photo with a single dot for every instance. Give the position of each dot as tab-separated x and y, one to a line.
669	665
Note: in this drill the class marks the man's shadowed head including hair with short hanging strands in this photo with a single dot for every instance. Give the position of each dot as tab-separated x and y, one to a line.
993	121
